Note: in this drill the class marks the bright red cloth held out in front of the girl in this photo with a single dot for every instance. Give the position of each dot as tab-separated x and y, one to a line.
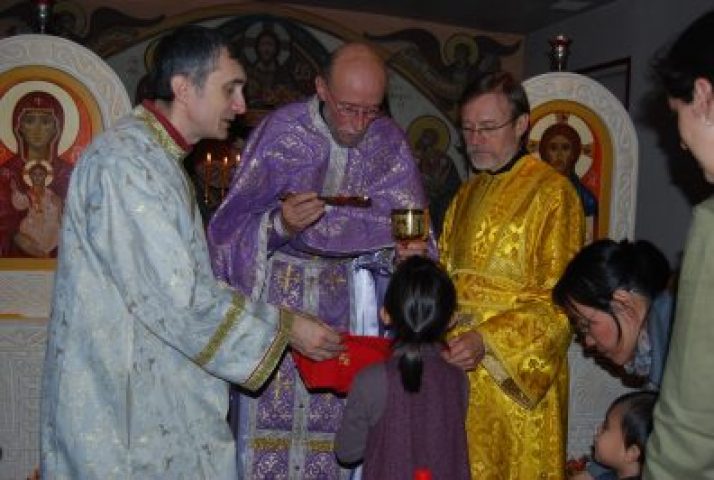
337	373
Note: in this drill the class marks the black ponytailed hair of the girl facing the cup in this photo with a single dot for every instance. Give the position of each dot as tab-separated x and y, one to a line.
420	300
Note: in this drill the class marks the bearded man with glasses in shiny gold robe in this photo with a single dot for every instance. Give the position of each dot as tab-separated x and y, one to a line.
508	234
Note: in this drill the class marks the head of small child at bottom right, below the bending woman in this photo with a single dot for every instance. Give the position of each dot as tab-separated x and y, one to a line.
620	441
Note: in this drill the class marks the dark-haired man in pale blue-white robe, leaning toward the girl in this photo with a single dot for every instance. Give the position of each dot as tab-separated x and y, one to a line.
143	341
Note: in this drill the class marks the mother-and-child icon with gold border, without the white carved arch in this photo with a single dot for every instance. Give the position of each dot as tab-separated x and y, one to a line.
48	119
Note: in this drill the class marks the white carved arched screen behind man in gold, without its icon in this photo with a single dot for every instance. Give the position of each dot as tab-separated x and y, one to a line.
592	387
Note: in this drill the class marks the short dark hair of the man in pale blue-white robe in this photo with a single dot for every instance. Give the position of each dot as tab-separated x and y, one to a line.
192	51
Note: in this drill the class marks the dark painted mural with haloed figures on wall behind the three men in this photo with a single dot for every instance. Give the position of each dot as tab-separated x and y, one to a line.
282	54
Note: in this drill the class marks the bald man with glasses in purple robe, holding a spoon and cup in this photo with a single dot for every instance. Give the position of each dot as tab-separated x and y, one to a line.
278	238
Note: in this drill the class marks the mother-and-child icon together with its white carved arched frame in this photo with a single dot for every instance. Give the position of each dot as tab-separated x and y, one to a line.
55	96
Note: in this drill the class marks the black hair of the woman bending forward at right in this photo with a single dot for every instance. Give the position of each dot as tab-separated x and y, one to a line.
602	267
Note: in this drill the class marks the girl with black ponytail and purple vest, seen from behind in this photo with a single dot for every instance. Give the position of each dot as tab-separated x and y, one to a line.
409	412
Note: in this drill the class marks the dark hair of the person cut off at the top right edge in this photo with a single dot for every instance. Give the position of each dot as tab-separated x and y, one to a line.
687	59
